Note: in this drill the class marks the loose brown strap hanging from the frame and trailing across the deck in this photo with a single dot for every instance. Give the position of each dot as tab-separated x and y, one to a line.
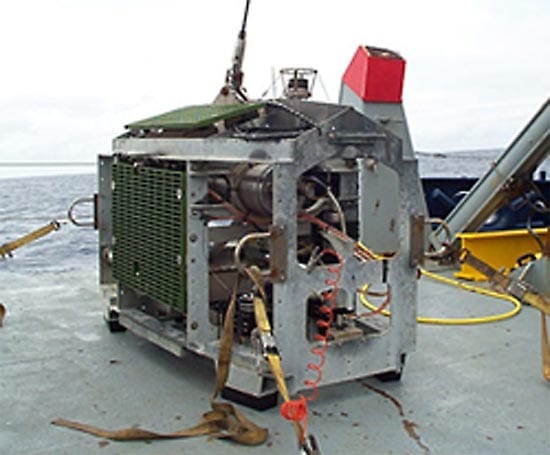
224	421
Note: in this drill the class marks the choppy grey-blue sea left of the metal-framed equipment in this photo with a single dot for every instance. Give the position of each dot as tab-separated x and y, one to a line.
29	203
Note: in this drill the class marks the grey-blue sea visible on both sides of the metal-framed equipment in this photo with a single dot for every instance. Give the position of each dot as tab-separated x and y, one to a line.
27	203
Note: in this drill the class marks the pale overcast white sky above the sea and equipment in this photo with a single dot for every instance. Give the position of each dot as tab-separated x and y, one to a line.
74	72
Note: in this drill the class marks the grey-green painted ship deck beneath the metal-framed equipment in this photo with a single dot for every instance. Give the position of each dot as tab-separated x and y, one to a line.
466	389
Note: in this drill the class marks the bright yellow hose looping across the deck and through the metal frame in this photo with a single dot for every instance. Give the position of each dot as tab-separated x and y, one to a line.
455	321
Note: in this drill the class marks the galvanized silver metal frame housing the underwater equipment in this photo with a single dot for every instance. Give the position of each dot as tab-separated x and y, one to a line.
347	136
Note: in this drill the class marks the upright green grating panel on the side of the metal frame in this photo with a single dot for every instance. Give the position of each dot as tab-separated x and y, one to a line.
149	230
